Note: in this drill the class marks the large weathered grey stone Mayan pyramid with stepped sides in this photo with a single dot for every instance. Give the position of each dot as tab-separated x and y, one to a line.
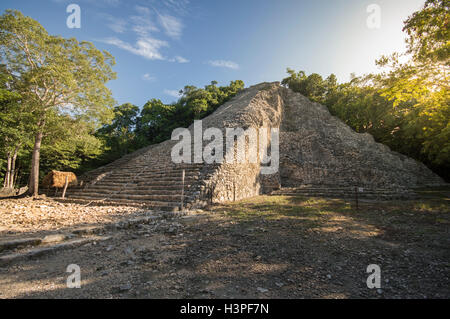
319	155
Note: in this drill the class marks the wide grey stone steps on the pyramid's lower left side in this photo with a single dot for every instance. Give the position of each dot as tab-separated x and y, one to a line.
157	187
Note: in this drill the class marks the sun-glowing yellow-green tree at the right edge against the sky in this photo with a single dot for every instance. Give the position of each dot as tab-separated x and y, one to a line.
422	83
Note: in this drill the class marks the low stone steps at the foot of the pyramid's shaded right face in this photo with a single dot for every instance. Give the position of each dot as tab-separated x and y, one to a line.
347	192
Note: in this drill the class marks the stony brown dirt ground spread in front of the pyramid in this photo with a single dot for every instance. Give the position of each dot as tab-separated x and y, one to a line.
266	247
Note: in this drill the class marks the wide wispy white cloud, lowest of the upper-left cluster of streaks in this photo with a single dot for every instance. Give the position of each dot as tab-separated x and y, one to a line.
146	47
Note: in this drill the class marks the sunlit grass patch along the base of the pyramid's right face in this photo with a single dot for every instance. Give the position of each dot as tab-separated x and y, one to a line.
428	214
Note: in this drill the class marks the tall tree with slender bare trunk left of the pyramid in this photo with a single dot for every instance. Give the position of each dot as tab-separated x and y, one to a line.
56	76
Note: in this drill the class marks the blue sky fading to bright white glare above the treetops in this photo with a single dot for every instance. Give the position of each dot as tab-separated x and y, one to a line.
162	45
